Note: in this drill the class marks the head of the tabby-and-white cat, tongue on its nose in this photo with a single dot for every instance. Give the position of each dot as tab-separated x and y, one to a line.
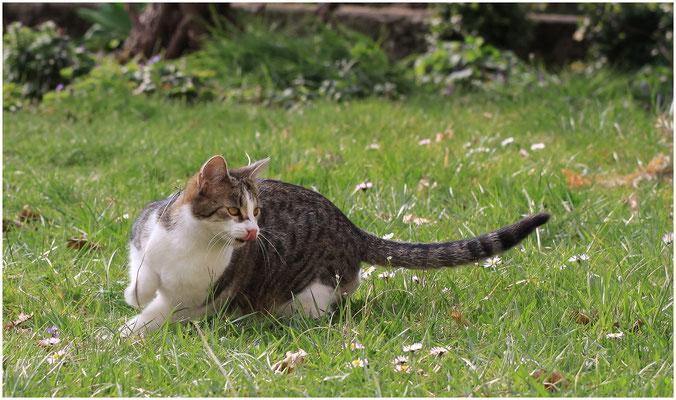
226	202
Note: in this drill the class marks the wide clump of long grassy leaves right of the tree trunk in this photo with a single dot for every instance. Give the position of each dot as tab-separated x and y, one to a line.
265	62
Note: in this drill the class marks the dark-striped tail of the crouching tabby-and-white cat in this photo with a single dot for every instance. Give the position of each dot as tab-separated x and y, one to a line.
383	252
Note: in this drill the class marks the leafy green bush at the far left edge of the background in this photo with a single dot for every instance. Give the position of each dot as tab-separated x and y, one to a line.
41	60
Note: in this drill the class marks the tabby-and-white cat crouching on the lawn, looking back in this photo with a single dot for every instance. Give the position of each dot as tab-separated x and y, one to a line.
233	241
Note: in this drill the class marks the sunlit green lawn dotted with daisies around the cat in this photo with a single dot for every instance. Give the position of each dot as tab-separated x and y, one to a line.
86	164
